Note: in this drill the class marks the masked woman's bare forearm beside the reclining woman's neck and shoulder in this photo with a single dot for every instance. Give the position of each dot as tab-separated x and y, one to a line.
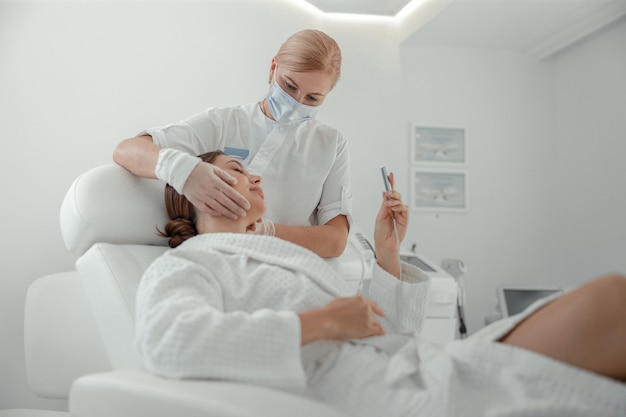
328	241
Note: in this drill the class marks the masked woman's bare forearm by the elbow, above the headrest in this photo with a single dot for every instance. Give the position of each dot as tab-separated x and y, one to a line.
138	155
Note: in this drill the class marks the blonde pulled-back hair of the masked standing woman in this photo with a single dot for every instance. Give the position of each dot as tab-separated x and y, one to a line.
311	50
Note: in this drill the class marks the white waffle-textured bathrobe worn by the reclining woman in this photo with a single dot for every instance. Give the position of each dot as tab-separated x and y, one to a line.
224	306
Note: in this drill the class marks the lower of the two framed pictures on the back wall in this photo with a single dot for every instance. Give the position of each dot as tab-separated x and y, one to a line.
439	190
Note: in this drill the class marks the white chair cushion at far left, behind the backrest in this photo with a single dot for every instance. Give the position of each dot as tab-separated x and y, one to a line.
61	339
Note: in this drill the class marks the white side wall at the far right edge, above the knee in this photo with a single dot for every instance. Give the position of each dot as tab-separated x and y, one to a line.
591	142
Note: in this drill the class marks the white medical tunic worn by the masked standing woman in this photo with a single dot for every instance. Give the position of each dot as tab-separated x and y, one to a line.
304	167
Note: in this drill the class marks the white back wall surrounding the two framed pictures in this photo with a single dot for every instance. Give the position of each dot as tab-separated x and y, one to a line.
506	103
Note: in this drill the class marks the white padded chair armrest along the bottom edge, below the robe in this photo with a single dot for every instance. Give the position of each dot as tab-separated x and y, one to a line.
141	394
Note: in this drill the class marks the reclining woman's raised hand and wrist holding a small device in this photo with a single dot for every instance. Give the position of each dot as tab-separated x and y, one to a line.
386	241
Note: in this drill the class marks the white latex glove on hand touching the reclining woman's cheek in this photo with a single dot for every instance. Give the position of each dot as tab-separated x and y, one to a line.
206	186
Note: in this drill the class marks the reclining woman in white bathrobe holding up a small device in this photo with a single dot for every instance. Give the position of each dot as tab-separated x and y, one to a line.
231	305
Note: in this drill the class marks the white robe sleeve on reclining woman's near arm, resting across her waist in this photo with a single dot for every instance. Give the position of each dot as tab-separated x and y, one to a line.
183	331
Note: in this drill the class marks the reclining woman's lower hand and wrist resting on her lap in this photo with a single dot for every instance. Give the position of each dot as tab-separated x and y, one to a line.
343	318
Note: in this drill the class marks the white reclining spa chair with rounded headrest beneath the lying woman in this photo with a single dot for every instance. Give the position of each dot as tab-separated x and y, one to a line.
109	219
